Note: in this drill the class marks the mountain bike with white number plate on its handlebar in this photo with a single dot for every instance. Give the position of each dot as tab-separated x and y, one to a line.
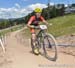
46	43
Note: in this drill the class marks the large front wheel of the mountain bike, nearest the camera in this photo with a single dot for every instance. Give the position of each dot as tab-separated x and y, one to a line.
50	47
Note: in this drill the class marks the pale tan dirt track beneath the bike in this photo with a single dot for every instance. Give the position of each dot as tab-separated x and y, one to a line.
19	56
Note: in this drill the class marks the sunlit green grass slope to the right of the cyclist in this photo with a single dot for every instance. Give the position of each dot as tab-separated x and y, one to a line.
62	25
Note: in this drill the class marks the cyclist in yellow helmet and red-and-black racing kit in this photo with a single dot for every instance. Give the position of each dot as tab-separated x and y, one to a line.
33	22
